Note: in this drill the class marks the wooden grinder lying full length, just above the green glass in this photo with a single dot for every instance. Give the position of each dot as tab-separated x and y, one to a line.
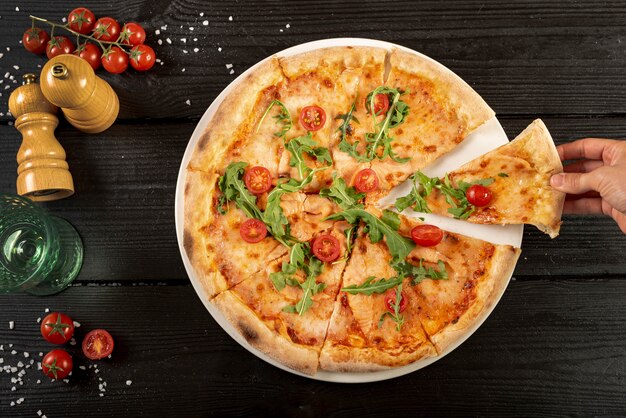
42	172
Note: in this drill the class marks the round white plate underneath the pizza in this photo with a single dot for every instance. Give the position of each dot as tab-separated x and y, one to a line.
484	139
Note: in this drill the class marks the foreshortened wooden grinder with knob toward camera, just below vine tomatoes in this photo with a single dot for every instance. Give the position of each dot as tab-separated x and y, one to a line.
87	101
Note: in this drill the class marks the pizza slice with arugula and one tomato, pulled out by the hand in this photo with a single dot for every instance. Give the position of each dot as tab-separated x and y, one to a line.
508	185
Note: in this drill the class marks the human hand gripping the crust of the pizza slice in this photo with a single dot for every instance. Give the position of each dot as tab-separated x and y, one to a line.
596	182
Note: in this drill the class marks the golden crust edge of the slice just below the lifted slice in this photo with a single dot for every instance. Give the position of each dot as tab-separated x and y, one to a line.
501	268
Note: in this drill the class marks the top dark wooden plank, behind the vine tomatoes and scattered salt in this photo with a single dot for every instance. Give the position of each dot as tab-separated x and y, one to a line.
524	58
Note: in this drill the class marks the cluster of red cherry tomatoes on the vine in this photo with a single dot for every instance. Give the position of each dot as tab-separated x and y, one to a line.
121	46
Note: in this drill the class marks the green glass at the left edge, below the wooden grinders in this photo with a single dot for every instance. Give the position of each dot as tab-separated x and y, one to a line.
39	253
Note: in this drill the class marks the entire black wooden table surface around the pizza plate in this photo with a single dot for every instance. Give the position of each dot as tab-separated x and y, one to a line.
556	342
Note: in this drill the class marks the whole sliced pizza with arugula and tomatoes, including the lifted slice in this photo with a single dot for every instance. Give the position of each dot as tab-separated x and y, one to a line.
283	229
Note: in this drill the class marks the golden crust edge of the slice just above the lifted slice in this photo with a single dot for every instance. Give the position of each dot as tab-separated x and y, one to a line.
471	107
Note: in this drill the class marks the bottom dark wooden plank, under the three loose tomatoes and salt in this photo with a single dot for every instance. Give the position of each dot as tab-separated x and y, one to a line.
550	347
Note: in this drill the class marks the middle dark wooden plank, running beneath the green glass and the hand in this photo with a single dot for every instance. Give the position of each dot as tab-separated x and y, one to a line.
124	205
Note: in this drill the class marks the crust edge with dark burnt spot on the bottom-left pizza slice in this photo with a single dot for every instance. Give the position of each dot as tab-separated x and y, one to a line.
258	335
